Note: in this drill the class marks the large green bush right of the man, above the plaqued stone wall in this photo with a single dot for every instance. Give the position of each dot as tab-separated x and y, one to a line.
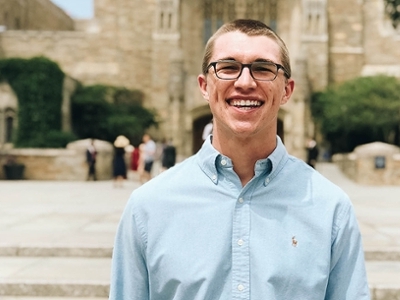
359	111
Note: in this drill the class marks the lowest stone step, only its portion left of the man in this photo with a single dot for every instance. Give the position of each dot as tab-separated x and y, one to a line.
54	276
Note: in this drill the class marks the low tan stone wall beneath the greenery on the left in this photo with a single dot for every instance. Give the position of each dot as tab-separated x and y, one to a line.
61	164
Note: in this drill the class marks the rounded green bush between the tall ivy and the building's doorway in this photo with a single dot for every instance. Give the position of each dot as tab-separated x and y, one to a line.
104	112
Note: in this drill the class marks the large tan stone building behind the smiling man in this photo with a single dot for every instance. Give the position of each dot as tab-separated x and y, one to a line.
157	46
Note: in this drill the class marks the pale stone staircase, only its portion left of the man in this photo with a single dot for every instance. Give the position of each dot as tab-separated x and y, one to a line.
52	273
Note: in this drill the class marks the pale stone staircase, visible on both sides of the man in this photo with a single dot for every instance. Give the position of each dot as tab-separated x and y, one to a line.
33	273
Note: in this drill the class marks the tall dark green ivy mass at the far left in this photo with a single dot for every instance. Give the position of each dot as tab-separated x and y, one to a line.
38	84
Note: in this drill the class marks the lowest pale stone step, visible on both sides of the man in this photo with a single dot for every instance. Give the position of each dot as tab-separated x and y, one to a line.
84	277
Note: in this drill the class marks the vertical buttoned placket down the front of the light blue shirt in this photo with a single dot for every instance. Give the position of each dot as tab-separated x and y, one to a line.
240	249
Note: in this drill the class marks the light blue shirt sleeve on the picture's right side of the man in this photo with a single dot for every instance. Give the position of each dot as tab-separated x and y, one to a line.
347	280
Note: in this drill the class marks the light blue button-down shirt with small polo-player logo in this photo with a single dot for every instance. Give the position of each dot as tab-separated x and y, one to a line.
194	232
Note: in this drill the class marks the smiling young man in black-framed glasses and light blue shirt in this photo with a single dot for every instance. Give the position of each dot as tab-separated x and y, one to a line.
241	219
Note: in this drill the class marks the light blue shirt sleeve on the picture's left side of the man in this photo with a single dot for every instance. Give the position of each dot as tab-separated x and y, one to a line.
128	273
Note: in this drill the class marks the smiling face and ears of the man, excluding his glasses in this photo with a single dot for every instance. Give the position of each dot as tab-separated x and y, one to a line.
245	107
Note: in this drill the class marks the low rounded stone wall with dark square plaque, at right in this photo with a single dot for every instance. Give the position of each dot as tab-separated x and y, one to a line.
372	164
